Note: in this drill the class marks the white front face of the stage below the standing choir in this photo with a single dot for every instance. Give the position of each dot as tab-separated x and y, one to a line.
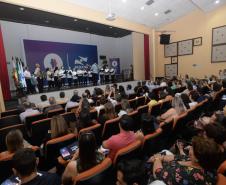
35	98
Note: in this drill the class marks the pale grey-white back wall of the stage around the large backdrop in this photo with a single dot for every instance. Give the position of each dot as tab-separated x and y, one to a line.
14	33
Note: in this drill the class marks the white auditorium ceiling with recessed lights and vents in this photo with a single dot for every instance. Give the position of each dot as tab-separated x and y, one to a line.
131	9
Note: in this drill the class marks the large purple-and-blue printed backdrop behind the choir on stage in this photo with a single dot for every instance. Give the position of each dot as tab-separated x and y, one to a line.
52	54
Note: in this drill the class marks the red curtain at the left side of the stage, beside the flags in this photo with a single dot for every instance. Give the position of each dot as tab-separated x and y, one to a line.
4	78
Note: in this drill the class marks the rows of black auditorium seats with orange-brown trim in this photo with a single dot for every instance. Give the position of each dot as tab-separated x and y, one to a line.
36	128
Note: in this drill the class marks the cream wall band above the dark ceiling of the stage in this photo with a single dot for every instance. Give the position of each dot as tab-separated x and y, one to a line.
76	11
